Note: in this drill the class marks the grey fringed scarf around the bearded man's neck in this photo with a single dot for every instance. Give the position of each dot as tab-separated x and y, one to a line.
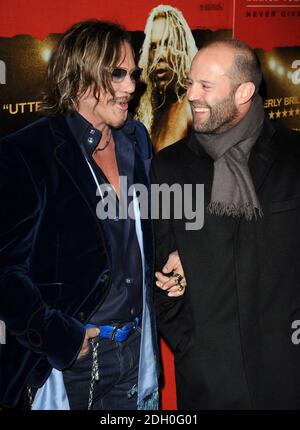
233	192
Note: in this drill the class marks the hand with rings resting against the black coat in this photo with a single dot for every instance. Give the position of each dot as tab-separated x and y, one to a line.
176	283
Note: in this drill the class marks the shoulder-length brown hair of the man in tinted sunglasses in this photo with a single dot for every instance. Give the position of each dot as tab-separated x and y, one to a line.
83	58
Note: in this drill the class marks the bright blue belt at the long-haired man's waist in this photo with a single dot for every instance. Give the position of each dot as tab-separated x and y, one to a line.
117	332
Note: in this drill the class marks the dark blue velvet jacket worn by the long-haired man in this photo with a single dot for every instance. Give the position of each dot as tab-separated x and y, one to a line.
55	258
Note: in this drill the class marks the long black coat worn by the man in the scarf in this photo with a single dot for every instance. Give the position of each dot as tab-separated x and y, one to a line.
232	331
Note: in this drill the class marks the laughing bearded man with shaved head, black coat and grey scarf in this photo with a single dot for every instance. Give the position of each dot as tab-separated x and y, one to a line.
235	333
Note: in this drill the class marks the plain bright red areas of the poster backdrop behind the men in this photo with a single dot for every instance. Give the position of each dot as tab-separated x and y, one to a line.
255	25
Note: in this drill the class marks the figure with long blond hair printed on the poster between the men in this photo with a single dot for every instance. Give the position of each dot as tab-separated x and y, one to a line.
165	59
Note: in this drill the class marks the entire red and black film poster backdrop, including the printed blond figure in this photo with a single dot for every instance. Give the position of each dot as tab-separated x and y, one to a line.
165	37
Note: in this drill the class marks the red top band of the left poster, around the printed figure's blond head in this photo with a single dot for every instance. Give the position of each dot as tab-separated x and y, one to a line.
39	18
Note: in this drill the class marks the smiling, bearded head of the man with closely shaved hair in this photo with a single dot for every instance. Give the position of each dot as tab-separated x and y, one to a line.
223	78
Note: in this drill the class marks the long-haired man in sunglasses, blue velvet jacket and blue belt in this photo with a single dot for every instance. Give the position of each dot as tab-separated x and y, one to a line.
75	288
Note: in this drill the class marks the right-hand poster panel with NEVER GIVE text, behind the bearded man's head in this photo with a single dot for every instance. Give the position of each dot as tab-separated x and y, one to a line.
273	28
